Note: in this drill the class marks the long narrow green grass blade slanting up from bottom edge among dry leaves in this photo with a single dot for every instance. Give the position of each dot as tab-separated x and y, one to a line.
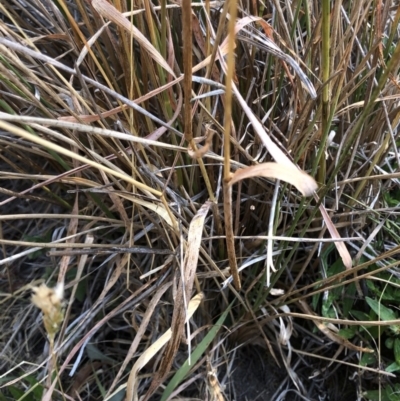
195	356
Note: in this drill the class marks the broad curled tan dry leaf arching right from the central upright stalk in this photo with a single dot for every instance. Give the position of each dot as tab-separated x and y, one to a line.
301	180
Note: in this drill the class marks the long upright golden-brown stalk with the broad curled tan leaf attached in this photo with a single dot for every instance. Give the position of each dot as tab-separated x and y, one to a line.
230	241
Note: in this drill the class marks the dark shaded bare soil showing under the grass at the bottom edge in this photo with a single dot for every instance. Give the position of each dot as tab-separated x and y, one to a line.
255	376
